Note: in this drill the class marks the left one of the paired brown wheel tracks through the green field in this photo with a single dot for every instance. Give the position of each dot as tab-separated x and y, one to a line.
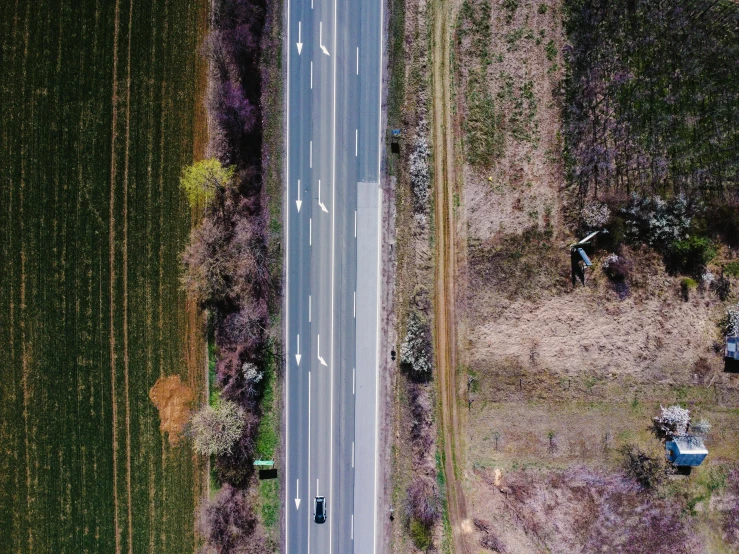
111	246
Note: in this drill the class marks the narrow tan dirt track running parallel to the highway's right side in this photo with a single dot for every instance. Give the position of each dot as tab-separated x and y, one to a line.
445	267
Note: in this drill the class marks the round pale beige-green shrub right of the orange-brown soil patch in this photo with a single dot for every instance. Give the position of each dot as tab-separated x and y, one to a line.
216	429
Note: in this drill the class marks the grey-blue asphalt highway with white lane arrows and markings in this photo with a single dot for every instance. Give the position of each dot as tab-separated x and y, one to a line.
333	201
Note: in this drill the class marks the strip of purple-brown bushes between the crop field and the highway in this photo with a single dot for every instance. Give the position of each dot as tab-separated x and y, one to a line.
227	264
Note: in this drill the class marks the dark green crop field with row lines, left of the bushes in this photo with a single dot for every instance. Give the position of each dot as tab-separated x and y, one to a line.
100	108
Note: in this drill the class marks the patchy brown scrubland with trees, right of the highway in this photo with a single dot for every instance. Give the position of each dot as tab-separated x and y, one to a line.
569	117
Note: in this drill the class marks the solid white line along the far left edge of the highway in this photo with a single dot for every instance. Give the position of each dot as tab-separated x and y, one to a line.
287	288
